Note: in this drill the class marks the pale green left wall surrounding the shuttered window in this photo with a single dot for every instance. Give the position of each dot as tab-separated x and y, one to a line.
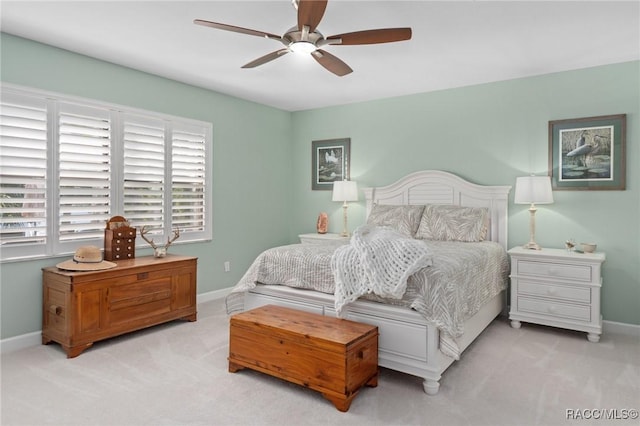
250	166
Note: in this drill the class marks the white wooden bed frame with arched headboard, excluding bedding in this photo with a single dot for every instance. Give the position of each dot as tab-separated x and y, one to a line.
408	343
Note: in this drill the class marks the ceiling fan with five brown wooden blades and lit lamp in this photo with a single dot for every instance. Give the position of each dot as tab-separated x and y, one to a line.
306	38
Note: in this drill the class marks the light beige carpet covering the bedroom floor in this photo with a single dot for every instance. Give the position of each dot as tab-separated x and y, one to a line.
176	374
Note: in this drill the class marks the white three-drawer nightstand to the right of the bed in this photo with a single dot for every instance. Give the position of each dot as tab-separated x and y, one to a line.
557	288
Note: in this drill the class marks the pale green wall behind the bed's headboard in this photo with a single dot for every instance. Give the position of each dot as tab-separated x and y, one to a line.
491	134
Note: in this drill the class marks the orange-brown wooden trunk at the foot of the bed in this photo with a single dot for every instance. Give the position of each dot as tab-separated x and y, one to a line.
333	356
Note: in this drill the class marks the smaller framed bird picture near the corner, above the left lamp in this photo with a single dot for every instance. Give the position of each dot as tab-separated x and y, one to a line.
330	162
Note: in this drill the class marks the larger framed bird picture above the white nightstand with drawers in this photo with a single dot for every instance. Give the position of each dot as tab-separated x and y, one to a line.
588	153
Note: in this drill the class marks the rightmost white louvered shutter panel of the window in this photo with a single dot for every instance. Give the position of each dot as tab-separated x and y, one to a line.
188	178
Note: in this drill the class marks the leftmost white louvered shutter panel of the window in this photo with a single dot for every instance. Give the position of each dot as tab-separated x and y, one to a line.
23	170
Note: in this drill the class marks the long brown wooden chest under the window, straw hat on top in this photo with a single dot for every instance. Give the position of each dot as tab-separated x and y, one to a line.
80	308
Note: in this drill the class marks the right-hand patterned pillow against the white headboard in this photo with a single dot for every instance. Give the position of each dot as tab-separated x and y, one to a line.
453	223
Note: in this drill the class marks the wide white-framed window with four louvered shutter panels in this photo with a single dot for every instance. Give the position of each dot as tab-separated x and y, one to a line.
68	165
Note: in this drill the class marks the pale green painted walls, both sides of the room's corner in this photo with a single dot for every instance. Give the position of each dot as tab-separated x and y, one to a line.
489	134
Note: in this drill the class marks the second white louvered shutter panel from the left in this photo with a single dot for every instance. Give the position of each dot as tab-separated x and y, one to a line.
84	163
